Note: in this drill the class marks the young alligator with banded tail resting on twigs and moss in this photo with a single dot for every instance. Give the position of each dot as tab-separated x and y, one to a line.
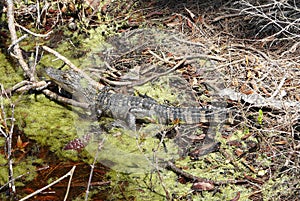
128	108
